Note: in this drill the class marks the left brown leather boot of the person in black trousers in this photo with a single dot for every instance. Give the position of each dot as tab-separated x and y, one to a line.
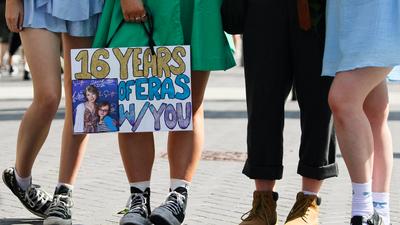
264	209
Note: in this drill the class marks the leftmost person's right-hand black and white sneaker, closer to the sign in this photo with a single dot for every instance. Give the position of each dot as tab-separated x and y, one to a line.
59	212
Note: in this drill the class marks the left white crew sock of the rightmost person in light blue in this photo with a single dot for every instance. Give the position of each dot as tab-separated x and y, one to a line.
362	200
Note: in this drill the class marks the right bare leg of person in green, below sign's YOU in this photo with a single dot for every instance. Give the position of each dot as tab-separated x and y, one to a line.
185	147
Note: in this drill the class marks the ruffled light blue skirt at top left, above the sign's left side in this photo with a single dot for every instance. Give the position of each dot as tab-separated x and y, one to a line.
76	17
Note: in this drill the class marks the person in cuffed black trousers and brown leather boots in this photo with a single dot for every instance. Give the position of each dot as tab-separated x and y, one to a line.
283	45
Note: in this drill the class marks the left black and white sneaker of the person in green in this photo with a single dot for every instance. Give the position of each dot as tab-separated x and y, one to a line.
138	208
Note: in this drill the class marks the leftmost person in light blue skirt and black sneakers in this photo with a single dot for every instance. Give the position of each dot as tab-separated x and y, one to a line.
42	26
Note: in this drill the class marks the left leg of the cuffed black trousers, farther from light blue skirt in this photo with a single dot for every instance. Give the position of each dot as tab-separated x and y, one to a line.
268	82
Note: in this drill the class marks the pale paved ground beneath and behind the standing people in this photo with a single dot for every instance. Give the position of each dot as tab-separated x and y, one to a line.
219	194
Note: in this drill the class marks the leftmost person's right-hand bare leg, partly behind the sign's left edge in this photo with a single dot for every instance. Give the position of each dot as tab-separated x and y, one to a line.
73	146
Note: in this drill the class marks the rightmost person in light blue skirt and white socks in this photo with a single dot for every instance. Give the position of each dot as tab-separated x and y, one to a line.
362	47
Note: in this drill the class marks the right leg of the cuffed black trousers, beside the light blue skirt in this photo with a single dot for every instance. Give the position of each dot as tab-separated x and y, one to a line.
318	144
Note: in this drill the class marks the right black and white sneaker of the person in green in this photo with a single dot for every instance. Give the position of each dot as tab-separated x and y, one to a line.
172	211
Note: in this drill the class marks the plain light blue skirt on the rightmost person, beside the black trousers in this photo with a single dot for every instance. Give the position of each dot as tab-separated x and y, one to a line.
361	33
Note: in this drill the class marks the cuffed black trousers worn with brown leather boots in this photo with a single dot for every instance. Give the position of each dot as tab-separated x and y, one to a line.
277	55
